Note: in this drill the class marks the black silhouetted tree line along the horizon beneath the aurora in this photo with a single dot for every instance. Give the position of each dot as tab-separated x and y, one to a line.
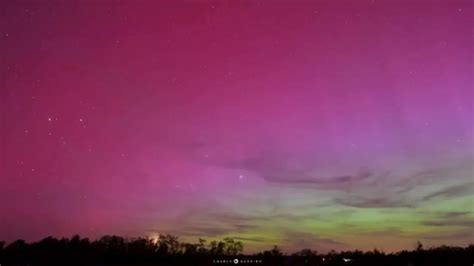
168	250
